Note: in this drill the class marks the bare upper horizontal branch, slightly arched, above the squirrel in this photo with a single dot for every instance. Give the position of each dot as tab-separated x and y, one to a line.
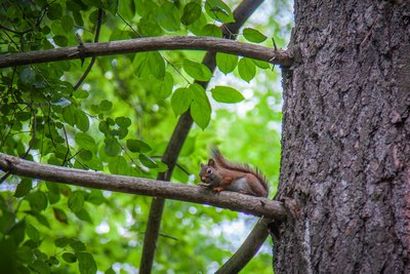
280	57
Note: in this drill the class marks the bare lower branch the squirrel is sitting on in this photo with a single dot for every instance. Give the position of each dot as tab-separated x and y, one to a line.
234	201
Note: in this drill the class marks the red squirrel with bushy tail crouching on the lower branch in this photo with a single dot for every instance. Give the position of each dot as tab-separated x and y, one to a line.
220	174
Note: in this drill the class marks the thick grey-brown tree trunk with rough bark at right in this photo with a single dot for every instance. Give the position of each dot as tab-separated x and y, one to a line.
345	173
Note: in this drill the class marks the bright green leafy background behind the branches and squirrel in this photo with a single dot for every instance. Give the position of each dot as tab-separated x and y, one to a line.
120	121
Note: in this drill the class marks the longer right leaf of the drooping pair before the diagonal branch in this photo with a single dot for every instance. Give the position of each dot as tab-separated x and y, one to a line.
200	107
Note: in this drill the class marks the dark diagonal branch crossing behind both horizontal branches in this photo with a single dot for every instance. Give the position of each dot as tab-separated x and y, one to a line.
241	14
